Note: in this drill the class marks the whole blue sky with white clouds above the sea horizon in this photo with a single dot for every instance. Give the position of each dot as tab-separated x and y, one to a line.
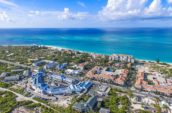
85	13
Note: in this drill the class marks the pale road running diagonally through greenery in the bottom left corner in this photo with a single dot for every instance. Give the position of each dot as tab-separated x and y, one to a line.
27	98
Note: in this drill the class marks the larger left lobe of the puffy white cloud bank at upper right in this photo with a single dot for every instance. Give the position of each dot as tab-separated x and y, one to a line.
119	9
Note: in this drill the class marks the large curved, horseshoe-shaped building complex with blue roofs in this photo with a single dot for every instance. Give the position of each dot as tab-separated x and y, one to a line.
73	87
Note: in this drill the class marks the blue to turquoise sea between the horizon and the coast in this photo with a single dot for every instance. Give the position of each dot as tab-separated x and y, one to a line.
142	43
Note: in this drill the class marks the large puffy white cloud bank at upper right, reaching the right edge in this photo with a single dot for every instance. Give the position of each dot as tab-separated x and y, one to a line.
133	9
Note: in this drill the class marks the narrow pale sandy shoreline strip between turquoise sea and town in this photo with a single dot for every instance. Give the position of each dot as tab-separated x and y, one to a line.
60	48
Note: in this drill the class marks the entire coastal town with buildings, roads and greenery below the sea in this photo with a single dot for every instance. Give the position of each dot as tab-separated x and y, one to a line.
42	79
